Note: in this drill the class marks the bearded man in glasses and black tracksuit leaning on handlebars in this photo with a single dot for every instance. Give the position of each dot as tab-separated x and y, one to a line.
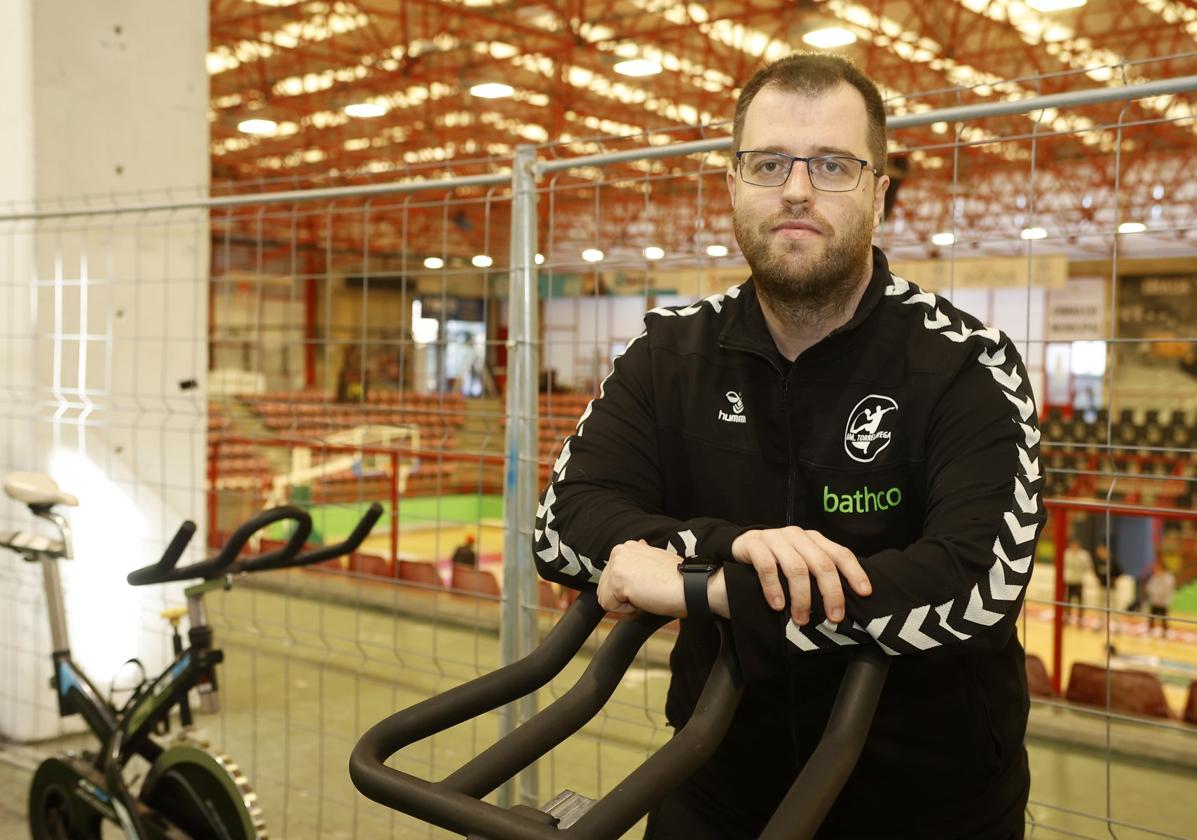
861	461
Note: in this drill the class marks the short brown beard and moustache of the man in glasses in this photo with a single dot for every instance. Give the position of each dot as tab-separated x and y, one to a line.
806	289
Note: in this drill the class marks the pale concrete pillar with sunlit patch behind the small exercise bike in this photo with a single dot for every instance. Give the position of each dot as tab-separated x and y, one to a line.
104	318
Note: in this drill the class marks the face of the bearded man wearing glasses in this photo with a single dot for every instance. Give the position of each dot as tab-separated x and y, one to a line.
809	249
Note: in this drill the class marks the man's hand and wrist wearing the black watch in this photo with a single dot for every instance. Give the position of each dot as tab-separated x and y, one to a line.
641	577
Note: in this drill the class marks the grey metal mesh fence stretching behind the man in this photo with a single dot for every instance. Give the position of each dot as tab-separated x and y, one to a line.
378	344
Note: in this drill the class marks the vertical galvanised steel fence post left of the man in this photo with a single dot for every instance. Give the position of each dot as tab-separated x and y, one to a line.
518	619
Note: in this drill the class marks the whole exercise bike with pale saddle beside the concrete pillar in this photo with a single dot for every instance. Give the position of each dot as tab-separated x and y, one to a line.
190	790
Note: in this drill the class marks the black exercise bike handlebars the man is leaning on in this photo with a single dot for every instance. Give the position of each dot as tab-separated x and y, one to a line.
457	802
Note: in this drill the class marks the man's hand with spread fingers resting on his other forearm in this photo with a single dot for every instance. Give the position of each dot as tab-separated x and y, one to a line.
799	556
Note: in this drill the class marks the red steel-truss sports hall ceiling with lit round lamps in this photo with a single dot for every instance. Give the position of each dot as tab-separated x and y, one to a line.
325	93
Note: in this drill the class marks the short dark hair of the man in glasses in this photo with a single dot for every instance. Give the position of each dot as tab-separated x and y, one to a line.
811	75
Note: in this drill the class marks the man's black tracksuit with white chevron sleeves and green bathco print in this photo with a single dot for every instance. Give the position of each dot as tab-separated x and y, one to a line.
910	437
